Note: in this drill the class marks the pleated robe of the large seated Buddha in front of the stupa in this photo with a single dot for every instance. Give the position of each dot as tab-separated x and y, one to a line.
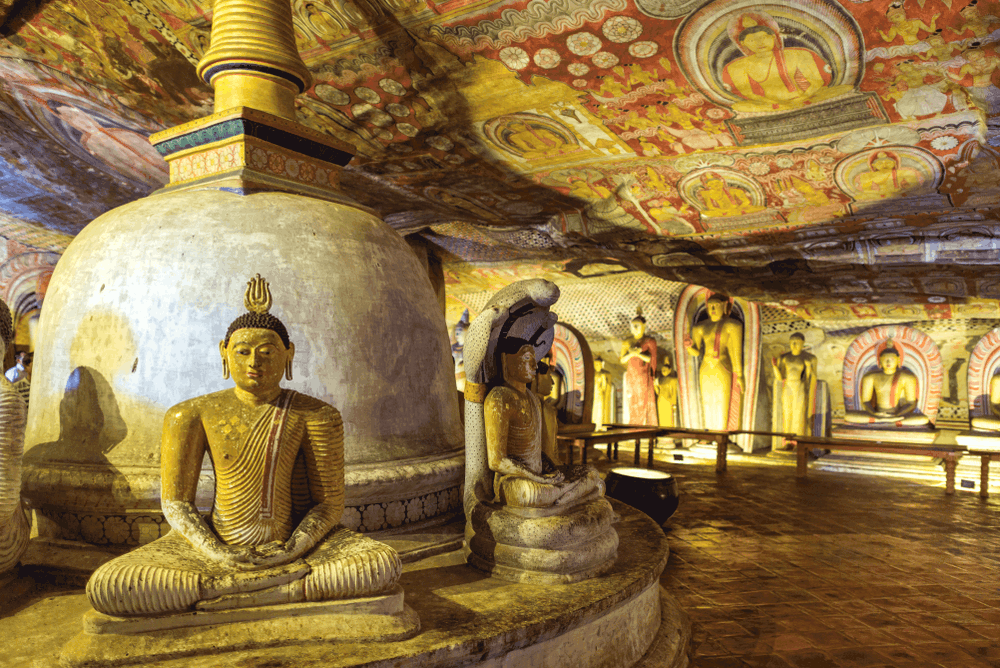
266	480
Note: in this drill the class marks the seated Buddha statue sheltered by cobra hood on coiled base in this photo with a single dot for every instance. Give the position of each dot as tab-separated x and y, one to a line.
527	520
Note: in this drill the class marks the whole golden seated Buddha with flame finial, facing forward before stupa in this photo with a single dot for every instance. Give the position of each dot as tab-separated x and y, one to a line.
273	535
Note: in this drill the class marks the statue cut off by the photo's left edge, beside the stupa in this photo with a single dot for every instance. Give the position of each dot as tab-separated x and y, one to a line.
14	526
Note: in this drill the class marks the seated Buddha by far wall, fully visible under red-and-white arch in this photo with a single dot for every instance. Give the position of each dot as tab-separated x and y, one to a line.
888	395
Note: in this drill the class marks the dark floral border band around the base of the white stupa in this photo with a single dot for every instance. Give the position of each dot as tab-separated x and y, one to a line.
132	530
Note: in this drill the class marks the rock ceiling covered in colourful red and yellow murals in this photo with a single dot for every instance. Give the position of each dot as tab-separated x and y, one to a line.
793	151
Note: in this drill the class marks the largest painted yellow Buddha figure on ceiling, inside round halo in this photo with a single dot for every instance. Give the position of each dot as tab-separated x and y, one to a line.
770	77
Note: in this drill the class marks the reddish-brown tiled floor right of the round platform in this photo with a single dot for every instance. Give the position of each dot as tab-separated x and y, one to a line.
839	570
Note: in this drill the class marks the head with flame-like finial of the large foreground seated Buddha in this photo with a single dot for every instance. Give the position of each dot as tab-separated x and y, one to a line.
256	350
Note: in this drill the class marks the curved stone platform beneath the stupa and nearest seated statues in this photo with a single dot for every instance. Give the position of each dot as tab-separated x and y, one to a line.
622	618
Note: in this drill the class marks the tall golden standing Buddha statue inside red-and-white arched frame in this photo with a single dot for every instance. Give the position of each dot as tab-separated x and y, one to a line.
718	342
